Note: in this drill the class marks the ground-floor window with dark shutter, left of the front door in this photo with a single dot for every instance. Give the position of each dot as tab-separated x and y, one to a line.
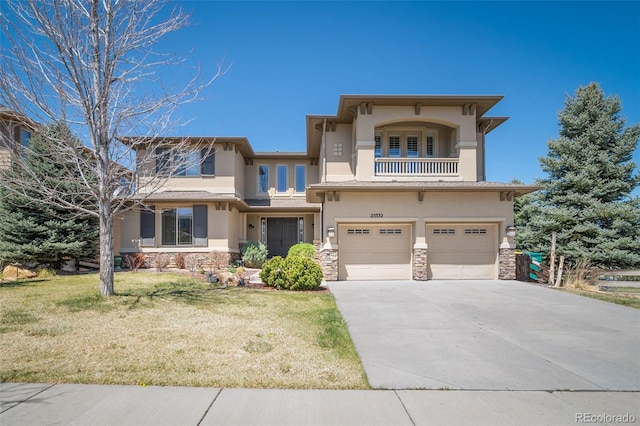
185	226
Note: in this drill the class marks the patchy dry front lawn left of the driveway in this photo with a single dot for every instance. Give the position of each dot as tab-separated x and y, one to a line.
165	329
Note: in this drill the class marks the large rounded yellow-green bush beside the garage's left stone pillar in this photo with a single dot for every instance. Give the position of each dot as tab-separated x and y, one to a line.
292	273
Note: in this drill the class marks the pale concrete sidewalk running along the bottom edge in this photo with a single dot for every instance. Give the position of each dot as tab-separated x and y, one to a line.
43	404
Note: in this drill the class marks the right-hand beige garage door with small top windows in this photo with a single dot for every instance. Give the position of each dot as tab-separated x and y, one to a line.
462	251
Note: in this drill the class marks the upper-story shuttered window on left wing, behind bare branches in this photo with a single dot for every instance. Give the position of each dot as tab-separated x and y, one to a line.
185	163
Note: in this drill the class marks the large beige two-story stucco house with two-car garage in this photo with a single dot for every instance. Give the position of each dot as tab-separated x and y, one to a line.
391	187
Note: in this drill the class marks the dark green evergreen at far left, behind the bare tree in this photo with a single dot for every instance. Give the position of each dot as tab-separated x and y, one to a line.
35	232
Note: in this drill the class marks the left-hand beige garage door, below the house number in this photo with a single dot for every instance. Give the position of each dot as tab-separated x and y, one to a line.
372	252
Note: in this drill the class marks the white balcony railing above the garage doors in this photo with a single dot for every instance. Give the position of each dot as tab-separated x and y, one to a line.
416	167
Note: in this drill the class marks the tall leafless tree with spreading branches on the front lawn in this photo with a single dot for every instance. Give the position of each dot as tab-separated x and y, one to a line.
92	65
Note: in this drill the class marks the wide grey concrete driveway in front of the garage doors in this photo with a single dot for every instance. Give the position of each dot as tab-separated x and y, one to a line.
489	335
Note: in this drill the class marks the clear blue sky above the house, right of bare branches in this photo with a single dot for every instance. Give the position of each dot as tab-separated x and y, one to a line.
290	59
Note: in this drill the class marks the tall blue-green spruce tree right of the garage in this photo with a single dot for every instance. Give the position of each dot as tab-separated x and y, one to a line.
586	197
